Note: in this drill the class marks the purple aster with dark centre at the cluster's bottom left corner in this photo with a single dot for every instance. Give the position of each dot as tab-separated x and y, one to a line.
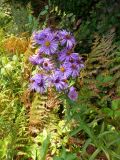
39	83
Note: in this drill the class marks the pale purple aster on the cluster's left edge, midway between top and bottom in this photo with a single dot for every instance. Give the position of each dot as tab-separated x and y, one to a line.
36	59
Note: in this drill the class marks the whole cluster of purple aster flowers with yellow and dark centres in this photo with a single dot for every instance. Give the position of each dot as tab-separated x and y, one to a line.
57	62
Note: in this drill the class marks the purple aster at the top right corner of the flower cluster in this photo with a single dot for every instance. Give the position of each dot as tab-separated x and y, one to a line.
67	38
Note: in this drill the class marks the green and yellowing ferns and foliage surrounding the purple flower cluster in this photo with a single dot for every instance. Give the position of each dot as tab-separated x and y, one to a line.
46	127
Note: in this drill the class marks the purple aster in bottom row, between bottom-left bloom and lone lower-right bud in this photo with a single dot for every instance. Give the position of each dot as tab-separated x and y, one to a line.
59	82
